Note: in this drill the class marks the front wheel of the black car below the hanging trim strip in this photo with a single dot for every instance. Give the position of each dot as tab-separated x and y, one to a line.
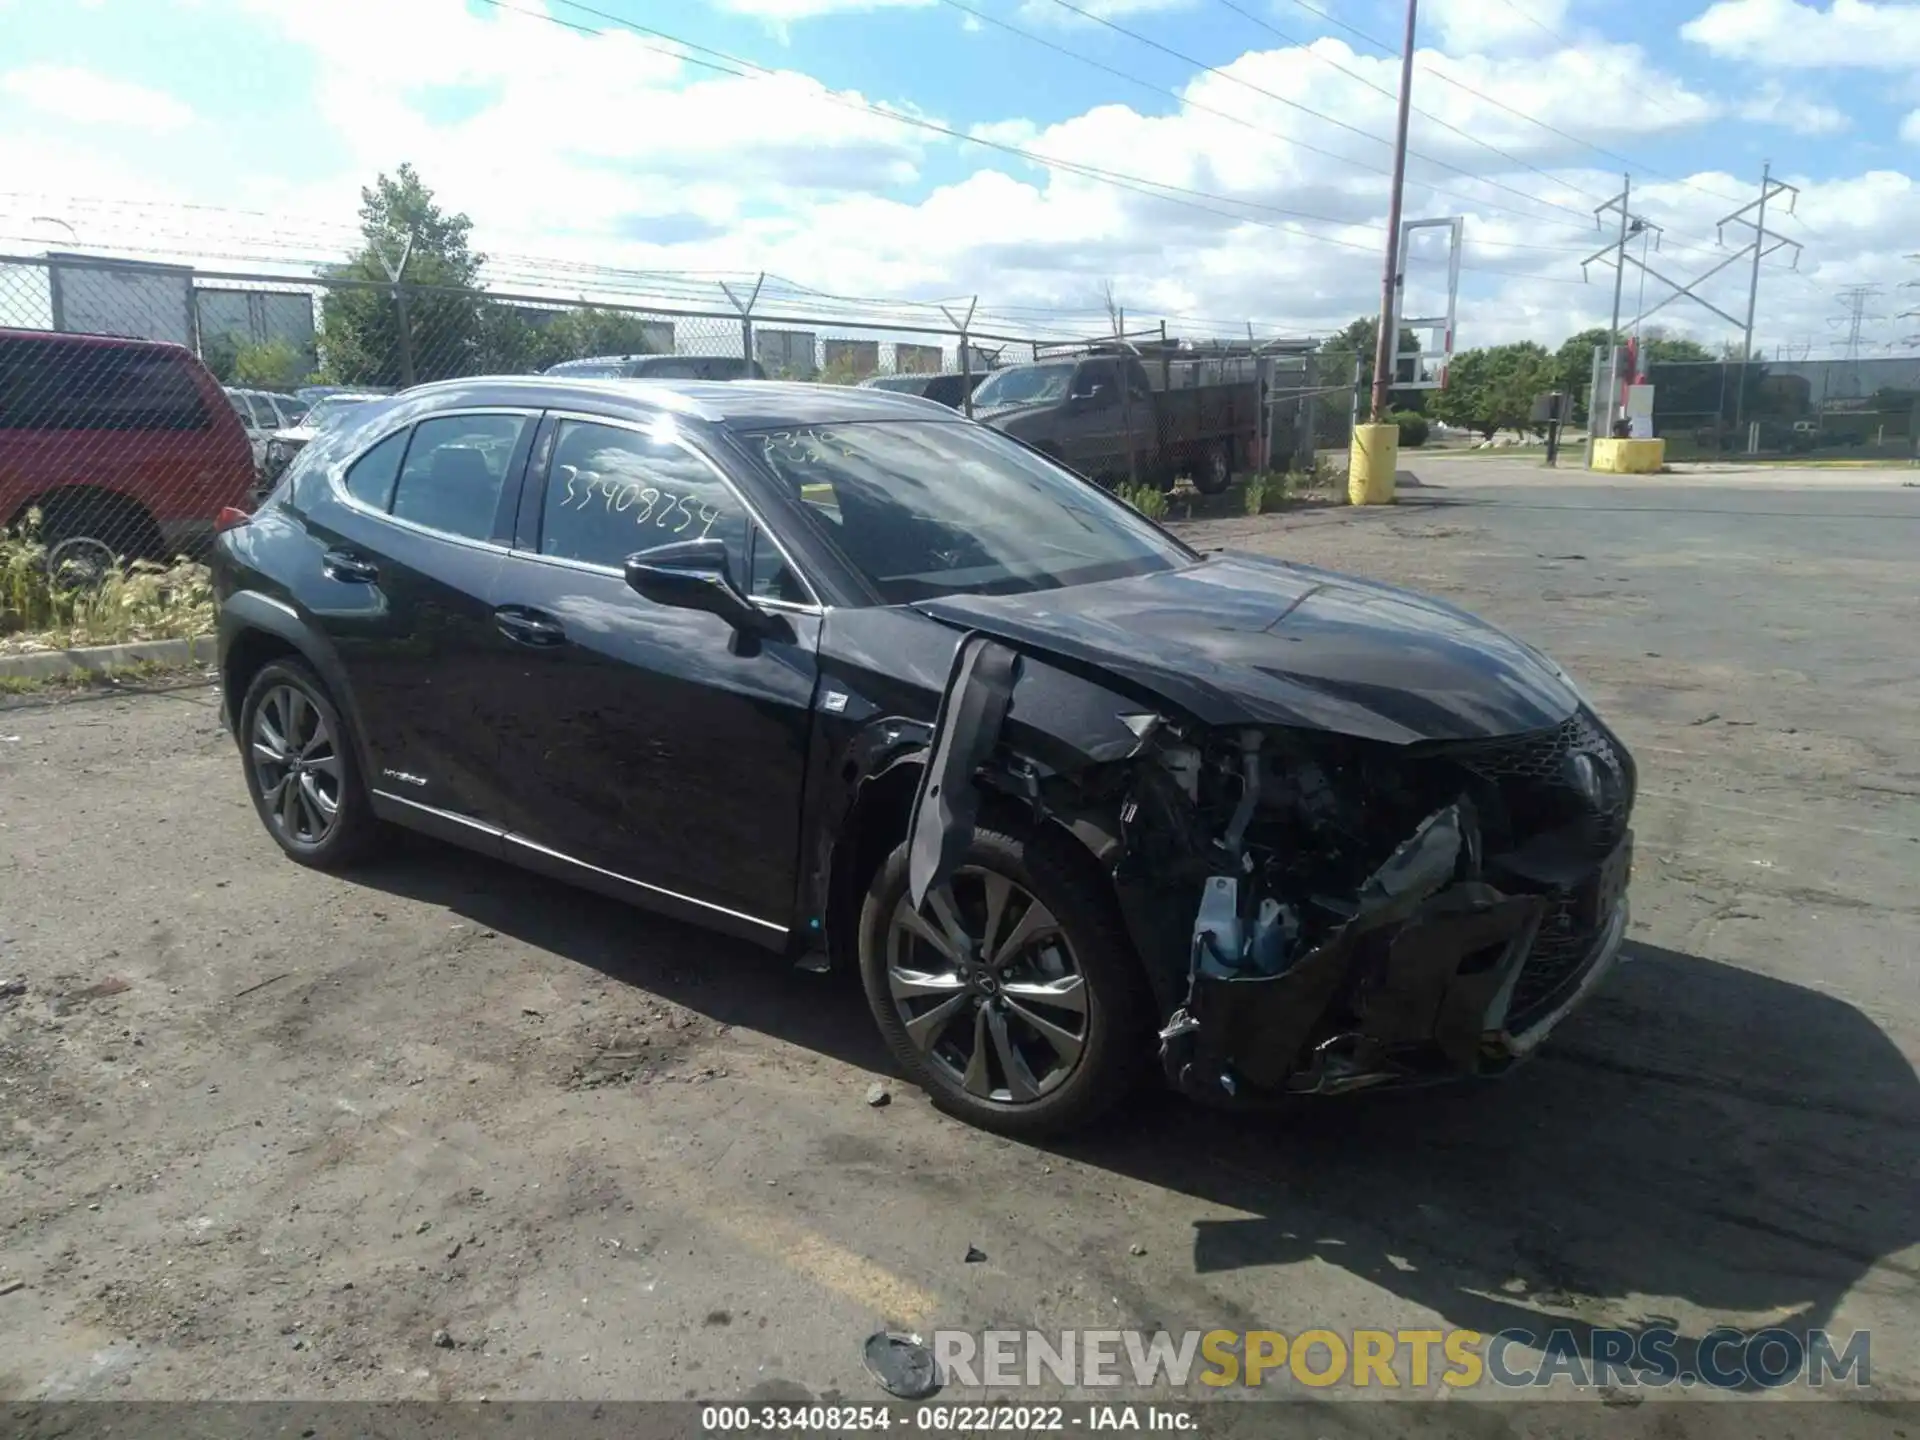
1013	996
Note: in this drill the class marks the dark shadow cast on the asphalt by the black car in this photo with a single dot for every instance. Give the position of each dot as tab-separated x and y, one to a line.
1700	1132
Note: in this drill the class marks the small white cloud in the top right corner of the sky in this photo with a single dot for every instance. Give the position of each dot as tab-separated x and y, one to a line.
1792	36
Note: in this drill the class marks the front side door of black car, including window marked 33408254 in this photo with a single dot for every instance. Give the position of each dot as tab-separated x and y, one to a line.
652	752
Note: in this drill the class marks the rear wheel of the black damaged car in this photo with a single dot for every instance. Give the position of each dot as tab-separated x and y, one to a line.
302	771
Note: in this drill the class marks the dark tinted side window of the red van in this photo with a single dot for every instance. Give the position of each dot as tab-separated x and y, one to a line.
57	385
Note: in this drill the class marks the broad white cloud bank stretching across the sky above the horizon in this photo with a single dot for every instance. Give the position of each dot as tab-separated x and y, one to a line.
644	162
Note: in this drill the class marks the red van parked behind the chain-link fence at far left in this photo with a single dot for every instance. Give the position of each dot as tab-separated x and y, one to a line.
126	446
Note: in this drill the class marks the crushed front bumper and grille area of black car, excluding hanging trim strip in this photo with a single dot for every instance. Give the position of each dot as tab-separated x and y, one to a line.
1385	917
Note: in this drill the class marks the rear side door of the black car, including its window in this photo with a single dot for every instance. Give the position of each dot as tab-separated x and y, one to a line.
408	548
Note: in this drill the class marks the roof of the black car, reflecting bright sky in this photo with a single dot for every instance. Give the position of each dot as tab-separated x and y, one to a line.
732	404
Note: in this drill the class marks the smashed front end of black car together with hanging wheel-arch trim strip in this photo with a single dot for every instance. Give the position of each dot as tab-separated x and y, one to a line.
1318	913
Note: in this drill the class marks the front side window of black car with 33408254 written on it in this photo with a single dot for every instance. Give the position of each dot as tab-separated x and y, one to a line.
617	492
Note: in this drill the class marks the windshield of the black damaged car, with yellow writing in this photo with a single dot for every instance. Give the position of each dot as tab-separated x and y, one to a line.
930	508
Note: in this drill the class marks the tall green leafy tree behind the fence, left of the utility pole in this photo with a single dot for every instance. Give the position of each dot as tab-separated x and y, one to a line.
360	324
